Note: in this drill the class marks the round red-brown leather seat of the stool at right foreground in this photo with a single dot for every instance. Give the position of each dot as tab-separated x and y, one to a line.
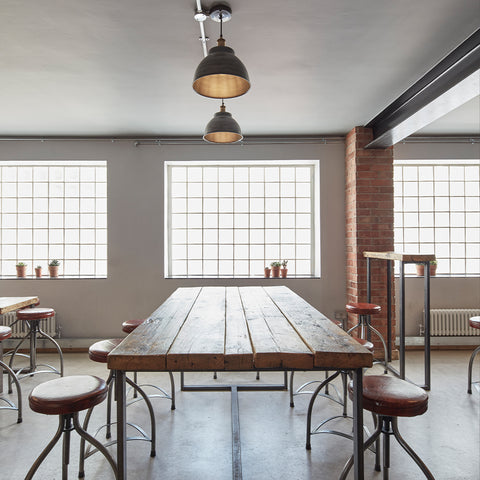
391	396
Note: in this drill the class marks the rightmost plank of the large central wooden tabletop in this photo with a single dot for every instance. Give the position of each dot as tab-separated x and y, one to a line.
333	348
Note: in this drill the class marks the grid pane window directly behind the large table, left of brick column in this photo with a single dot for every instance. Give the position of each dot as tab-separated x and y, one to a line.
225	220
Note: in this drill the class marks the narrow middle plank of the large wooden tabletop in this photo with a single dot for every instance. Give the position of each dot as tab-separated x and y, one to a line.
238	349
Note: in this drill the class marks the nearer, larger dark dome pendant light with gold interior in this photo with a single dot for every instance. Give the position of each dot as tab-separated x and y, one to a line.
221	74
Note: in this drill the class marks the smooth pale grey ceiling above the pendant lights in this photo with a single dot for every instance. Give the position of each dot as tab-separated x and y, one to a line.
125	68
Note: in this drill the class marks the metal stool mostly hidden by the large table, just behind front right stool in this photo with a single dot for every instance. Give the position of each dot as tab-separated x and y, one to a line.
340	400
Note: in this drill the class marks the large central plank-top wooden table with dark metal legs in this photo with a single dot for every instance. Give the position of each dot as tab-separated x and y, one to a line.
238	329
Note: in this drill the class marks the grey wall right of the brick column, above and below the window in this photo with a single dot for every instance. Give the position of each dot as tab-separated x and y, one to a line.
445	292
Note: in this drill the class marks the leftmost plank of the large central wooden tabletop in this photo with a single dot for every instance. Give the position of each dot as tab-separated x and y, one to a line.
147	346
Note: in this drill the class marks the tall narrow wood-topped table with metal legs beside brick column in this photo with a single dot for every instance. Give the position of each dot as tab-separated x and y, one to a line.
403	258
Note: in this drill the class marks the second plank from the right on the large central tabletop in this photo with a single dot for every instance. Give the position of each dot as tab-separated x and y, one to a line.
275	343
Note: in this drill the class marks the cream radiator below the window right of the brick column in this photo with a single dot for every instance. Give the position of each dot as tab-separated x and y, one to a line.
447	322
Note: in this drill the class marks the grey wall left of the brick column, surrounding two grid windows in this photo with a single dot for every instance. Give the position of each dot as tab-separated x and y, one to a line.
95	308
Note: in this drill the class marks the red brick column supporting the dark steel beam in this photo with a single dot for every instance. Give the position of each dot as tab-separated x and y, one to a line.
369	223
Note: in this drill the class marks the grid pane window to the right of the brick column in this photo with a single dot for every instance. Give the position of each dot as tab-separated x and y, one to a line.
437	210
